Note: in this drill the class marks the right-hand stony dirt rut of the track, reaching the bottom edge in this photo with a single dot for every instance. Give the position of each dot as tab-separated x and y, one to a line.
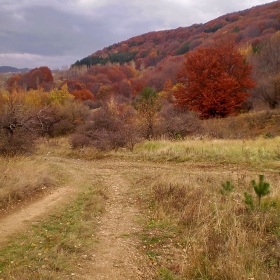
117	255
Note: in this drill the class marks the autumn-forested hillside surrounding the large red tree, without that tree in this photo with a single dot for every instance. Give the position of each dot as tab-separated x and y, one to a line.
153	60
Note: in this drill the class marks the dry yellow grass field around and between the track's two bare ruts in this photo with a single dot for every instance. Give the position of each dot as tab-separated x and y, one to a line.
192	231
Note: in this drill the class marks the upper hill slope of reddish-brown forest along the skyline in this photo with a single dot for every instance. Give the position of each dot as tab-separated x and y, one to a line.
250	26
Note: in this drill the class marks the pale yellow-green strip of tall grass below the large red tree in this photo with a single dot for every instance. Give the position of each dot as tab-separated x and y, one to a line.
258	152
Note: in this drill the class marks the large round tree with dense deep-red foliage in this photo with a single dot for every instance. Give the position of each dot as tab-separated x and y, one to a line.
214	81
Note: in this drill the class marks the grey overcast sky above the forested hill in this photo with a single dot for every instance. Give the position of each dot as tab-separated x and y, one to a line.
56	33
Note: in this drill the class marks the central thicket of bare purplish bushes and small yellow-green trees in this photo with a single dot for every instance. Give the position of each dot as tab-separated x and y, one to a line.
120	125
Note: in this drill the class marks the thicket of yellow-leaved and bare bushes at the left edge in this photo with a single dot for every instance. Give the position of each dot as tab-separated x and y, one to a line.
27	116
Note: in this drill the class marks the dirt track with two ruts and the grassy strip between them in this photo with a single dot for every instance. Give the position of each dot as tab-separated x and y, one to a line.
105	228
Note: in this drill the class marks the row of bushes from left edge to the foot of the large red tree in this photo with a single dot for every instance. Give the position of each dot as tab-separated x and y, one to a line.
27	116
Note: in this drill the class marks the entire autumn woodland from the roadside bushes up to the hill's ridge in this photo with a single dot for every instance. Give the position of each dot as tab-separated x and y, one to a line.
153	85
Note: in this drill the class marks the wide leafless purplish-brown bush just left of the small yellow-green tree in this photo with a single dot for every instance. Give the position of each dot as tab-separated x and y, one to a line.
111	127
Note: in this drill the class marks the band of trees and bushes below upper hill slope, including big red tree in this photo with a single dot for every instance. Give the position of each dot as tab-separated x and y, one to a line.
112	106
